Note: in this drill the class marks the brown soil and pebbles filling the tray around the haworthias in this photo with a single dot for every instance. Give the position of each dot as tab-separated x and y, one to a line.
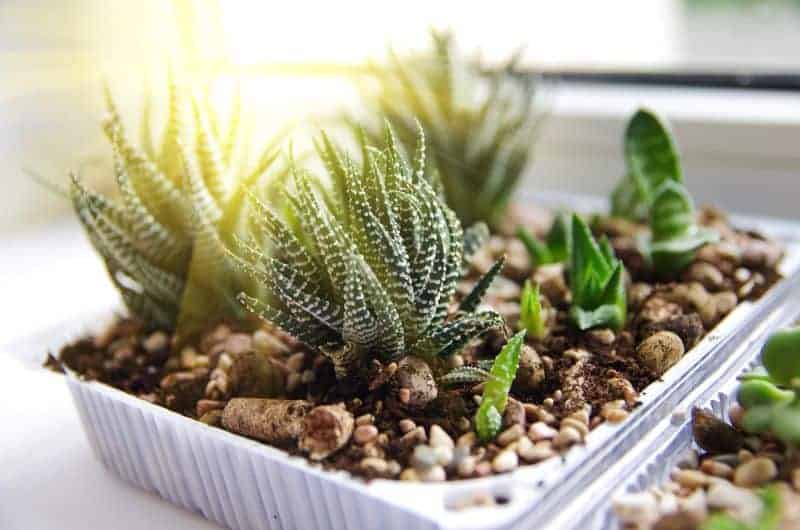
567	384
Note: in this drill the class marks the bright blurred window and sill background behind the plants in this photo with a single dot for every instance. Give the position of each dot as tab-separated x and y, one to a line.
724	71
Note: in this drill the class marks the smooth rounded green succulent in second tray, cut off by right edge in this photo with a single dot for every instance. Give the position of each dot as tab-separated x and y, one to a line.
771	400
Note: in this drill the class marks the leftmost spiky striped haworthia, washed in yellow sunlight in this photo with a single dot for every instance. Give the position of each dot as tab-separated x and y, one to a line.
164	242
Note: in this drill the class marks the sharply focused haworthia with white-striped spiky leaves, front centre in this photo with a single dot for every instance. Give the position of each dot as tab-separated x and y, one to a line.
368	268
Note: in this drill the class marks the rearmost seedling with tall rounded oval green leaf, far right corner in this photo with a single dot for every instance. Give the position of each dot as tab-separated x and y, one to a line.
651	158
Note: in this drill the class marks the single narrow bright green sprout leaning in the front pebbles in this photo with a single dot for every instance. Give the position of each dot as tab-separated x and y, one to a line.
489	417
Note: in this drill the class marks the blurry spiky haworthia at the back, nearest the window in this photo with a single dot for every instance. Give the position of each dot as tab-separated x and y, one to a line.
479	140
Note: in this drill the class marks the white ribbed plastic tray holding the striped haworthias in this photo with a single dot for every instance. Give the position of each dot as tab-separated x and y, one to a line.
243	484
